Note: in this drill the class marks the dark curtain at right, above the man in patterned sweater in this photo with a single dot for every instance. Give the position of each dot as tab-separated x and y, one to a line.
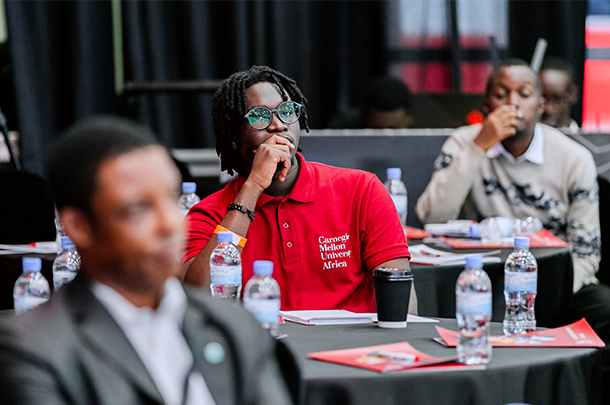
561	23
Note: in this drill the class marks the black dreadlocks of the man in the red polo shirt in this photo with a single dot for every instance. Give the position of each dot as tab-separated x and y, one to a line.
230	104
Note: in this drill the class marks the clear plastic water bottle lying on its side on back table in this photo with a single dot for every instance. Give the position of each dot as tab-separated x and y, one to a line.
493	229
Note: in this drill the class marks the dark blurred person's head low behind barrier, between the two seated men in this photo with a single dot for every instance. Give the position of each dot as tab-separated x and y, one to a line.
386	104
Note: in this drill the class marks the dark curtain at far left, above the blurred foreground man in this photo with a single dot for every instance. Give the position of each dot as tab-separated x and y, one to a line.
61	56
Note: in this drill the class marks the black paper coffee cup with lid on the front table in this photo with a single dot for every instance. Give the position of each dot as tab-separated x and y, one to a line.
392	295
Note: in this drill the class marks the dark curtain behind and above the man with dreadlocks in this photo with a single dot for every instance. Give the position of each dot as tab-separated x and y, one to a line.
327	47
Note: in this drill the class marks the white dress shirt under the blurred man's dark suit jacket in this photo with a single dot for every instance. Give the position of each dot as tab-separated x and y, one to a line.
156	335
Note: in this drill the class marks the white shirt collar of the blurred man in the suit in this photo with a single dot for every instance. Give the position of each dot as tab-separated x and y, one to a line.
173	303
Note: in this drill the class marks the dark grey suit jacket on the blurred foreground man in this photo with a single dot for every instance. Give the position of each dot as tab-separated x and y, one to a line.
71	351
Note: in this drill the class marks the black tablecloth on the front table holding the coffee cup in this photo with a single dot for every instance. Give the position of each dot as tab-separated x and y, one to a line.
537	376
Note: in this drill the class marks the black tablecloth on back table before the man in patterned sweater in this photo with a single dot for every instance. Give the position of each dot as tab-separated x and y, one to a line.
435	286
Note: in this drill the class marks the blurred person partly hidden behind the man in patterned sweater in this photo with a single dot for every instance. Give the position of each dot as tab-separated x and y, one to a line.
560	93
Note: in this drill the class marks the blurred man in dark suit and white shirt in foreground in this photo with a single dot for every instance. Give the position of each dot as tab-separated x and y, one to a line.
125	331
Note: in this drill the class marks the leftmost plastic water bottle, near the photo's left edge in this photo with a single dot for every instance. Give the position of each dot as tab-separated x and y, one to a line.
31	288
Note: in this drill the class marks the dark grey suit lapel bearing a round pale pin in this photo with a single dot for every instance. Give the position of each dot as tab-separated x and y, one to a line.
213	355
